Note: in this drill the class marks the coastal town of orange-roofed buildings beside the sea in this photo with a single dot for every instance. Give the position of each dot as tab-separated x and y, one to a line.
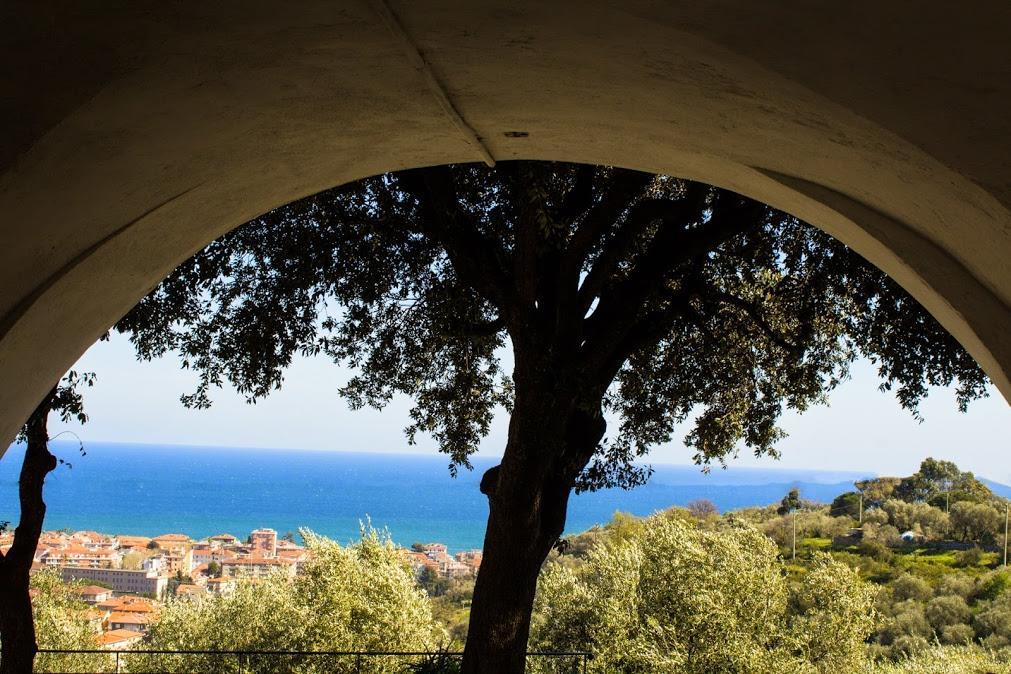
126	581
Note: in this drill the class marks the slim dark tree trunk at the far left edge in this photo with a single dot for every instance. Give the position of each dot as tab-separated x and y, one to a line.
18	629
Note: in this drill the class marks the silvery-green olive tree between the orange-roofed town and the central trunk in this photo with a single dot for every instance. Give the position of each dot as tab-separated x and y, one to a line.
360	598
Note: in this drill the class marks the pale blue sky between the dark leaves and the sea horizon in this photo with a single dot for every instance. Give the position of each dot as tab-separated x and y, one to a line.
863	429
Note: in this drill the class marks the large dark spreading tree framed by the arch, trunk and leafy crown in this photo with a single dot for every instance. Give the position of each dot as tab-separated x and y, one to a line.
655	301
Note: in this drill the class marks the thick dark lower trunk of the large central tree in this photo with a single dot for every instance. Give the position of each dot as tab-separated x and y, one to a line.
528	497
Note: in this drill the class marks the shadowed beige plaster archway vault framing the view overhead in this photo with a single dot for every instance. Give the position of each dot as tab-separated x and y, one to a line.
202	123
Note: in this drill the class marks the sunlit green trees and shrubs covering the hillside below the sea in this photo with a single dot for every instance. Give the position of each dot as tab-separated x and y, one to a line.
900	576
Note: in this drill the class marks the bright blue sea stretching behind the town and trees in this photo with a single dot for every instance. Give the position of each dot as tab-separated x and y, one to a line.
150	490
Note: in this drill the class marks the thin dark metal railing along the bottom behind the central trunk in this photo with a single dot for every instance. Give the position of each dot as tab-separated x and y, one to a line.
343	662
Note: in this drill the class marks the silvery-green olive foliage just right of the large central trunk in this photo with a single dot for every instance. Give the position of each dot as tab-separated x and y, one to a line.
676	597
